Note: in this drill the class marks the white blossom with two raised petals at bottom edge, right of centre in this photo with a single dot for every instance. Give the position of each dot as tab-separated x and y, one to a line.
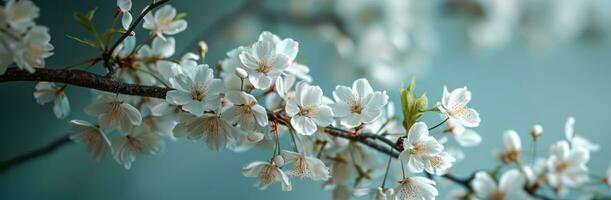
509	186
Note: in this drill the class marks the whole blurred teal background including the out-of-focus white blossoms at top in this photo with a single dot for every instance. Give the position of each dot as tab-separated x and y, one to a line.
526	62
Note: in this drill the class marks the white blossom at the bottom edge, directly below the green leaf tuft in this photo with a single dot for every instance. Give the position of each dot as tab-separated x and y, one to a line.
416	187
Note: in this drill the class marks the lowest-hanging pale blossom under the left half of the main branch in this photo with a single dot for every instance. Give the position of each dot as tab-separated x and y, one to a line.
139	141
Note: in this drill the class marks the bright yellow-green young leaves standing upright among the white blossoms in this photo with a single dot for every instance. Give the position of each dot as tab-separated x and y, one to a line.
413	106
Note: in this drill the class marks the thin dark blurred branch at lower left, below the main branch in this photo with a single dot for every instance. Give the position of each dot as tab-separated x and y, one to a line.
49	148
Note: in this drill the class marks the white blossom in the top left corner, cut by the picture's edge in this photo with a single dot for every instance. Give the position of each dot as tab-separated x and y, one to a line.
20	14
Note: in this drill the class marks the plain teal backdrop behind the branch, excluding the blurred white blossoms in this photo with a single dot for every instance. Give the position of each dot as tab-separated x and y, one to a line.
513	88
